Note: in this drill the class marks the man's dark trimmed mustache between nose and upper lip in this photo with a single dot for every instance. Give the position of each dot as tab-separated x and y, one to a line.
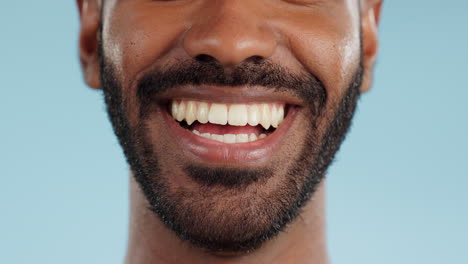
251	72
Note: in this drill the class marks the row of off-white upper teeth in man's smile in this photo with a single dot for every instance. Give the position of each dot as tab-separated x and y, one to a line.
265	114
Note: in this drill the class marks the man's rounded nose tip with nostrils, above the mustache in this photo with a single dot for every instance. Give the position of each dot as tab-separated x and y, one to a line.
229	41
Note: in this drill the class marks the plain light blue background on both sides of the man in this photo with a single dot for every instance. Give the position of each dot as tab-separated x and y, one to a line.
397	192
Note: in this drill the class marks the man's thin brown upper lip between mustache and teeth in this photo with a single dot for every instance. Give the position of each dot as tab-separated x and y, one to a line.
223	94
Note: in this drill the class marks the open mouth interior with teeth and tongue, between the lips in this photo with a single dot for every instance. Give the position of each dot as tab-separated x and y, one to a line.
229	123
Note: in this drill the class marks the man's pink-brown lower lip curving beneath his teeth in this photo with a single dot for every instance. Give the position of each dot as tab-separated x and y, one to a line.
210	151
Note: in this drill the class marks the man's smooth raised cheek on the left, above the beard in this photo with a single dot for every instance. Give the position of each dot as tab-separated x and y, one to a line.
138	34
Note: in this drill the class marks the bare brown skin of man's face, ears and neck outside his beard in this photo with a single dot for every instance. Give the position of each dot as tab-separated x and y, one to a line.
322	37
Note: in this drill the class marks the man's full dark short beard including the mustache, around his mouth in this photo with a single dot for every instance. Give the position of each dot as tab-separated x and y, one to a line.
229	212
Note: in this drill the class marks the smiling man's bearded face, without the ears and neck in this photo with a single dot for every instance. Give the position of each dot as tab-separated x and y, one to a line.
229	112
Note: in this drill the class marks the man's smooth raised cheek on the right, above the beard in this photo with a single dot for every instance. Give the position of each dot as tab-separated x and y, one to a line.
328	45
